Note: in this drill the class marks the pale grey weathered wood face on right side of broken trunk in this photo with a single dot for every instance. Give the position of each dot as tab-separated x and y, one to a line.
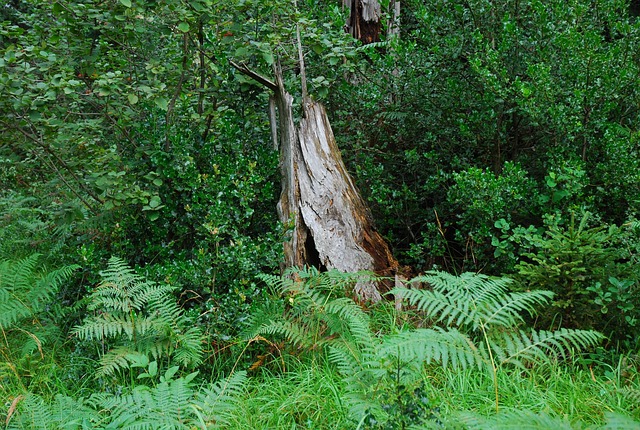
332	210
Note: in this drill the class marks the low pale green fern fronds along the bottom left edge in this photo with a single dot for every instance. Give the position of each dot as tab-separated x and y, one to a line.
171	404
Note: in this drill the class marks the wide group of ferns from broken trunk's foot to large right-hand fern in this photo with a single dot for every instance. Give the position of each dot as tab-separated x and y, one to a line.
481	327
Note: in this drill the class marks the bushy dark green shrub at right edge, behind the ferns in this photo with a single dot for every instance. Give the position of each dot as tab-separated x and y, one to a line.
589	270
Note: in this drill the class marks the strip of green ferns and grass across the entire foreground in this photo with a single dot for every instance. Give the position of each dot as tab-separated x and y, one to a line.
460	354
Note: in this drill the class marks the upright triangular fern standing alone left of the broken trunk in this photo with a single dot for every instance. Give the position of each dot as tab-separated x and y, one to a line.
138	317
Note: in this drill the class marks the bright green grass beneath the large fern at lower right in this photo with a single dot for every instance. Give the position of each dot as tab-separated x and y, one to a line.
561	391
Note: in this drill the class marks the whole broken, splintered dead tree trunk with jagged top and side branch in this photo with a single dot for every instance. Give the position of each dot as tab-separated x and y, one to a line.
331	227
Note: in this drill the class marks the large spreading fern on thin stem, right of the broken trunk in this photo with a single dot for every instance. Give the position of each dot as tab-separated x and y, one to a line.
483	326
